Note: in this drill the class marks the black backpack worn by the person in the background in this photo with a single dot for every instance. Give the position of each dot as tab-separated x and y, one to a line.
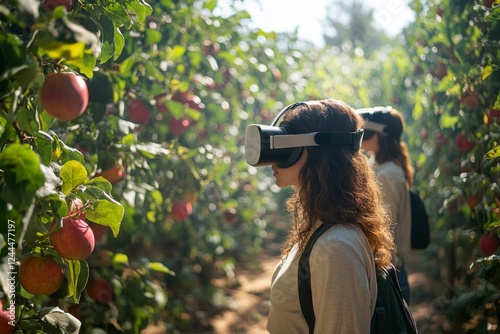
420	231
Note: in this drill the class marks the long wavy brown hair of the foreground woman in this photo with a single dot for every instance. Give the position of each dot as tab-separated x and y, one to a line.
338	185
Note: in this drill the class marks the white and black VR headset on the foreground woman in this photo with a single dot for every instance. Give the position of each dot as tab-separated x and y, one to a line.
278	144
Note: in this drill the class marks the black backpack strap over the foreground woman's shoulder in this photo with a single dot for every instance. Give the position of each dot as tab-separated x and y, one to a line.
304	278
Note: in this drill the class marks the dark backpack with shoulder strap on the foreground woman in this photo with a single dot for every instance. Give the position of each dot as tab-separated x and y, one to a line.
391	315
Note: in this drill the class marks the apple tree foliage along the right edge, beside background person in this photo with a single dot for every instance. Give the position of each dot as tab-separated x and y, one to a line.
454	46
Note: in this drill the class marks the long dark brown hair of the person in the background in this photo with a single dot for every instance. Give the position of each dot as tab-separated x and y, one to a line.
391	149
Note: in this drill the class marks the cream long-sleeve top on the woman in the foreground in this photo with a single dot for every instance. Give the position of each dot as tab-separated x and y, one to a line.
343	285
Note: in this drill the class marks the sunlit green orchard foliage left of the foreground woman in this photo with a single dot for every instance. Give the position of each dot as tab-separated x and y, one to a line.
171	84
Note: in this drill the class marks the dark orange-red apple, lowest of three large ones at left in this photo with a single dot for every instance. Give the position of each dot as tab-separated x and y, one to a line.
40	275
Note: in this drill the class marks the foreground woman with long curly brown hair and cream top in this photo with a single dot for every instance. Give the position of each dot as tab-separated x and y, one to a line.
334	184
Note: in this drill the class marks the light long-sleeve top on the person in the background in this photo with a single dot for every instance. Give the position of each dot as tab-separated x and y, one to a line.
396	196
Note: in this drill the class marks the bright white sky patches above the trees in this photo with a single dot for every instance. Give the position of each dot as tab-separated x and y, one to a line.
308	16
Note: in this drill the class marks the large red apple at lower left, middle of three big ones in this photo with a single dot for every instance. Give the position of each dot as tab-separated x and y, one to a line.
74	240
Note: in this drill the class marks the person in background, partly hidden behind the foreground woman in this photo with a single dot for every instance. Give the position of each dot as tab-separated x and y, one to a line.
382	140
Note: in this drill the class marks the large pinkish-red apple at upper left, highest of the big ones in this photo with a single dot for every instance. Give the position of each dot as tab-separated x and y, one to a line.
64	95
